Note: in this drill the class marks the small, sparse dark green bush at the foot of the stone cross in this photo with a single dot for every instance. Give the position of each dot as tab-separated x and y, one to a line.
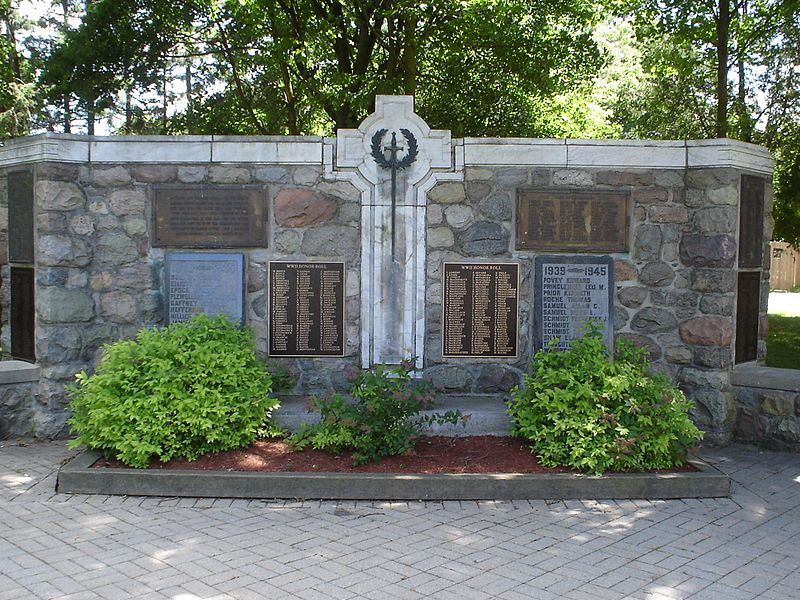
383	421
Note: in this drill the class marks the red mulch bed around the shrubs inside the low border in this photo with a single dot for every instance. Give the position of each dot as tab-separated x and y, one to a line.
475	454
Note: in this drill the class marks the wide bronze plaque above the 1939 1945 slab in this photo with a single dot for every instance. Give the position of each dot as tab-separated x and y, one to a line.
572	220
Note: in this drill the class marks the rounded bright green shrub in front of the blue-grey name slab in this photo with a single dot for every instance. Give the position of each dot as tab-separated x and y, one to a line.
177	392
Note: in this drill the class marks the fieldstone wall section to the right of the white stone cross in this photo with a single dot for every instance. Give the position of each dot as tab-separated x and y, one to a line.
675	287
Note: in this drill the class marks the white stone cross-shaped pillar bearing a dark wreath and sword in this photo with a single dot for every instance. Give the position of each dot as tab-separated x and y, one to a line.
393	179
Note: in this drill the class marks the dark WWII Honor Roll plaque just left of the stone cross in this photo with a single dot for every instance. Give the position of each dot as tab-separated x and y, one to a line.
306	308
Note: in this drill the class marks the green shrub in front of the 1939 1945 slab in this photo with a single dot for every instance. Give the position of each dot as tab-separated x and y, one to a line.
581	410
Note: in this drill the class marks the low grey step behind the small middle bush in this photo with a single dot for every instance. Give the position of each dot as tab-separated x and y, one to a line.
486	414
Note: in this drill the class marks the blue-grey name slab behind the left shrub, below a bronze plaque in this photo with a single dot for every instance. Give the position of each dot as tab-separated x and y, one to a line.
204	282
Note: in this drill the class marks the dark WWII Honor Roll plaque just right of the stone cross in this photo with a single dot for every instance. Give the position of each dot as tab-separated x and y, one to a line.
480	309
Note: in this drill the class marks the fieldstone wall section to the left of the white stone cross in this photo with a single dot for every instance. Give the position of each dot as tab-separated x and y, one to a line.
98	279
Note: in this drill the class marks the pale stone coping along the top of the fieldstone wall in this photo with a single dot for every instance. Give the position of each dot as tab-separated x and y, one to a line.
308	150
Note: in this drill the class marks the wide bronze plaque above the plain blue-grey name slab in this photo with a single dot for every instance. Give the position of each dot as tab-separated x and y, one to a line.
209	216
